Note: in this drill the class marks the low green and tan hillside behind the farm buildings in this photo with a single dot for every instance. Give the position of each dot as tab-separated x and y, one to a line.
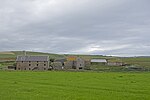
137	61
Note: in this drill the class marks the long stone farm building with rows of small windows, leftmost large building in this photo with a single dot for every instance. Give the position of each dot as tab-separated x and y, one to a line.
32	63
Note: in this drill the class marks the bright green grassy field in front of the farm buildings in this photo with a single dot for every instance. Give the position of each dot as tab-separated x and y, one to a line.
74	86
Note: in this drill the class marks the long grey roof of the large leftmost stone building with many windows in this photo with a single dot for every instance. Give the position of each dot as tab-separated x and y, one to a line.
32	58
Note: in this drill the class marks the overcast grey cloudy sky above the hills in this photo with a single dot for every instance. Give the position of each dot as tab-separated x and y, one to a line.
105	27
